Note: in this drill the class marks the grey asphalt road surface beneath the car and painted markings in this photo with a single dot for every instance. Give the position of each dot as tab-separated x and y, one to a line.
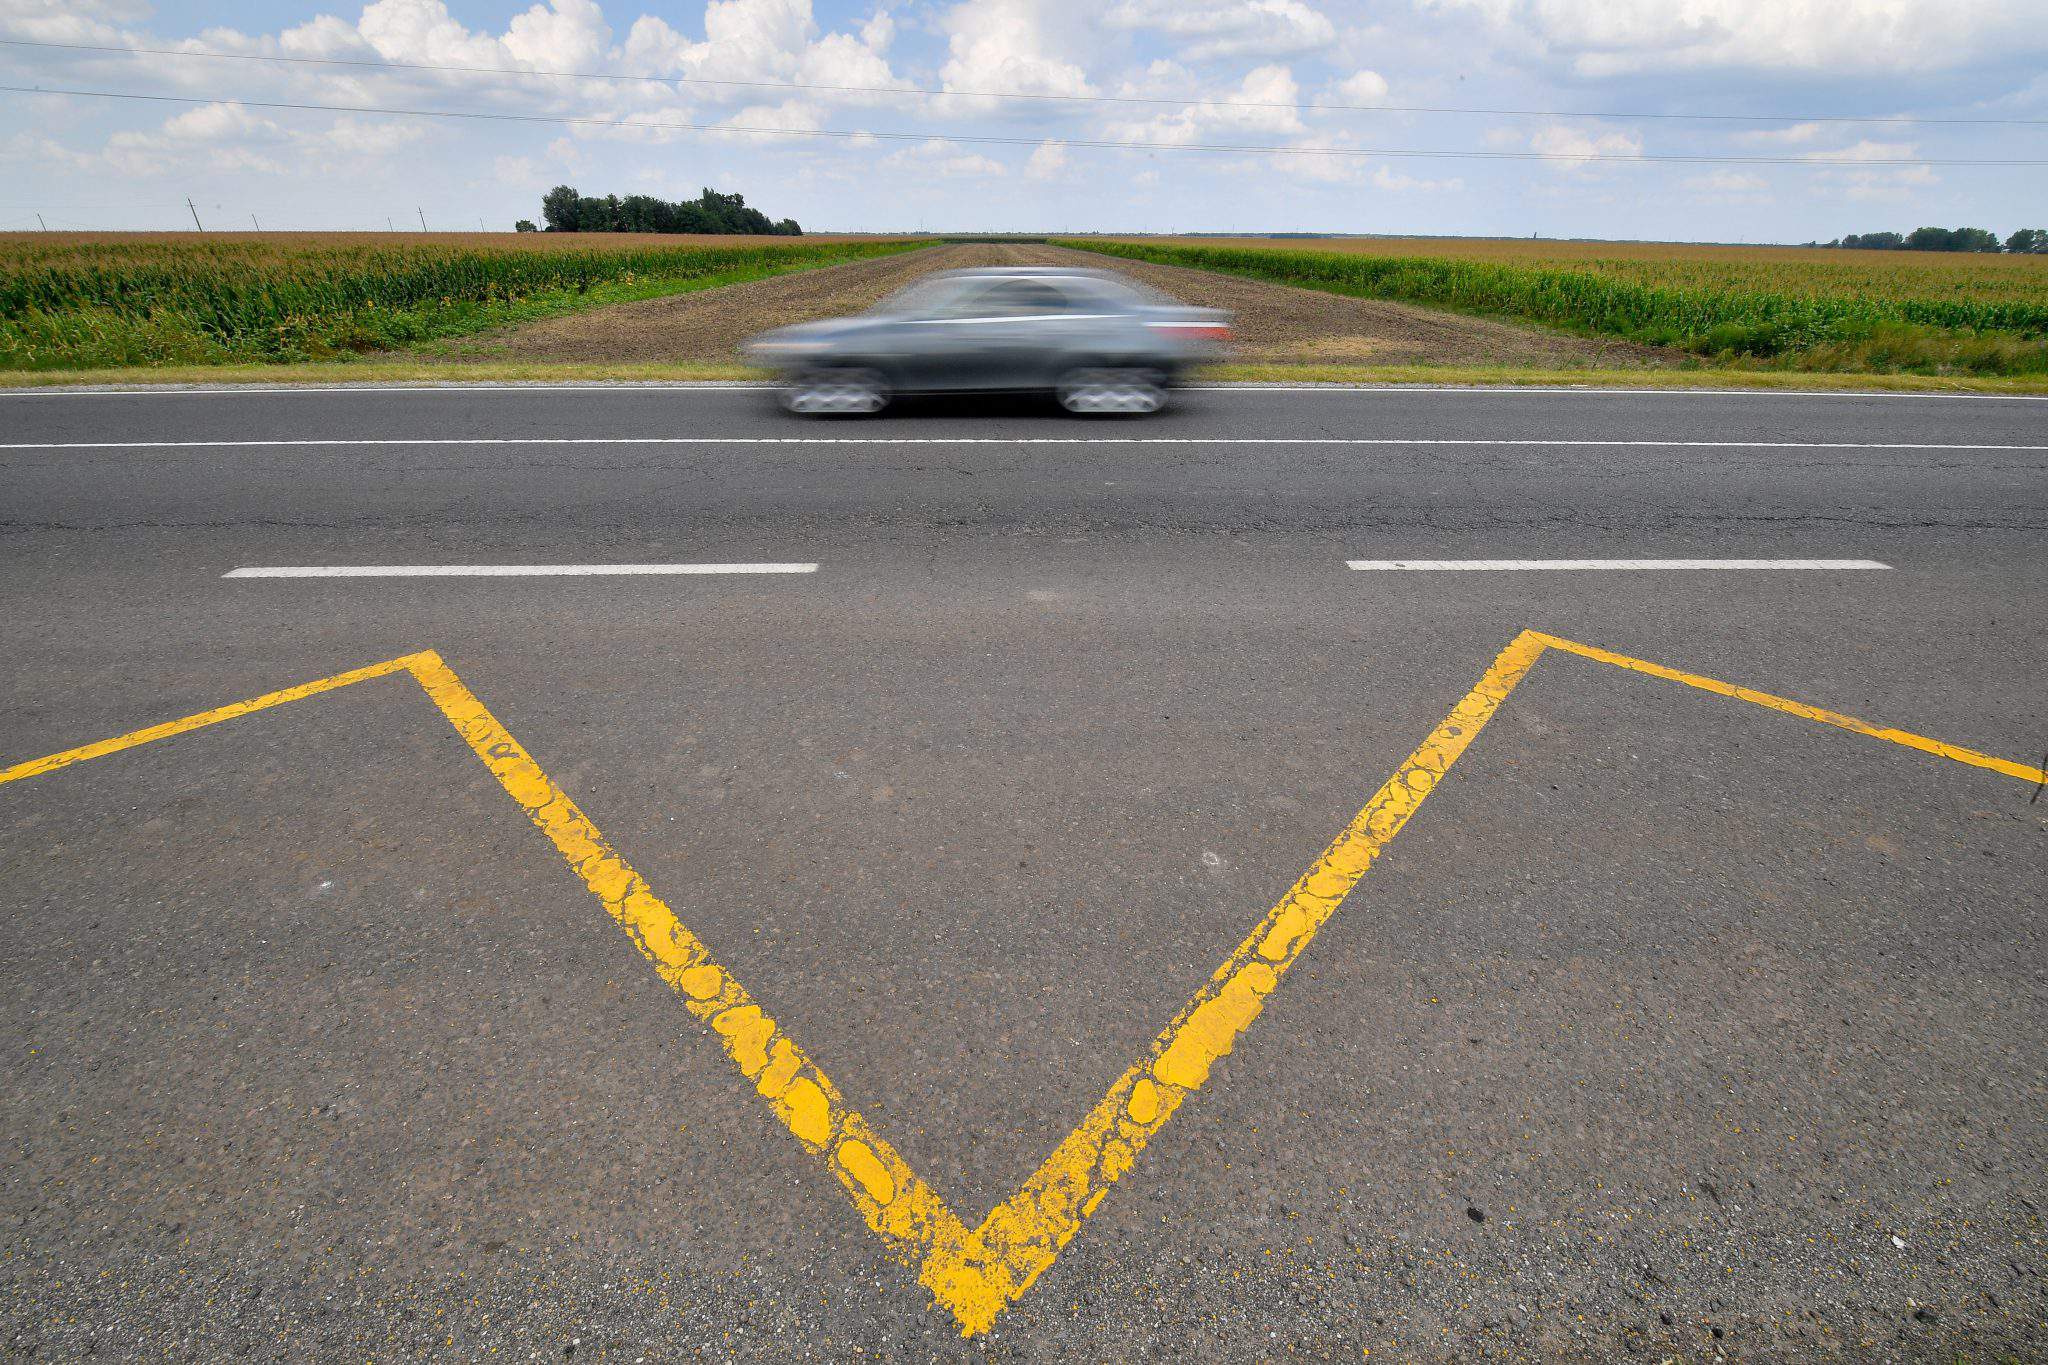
1668	1026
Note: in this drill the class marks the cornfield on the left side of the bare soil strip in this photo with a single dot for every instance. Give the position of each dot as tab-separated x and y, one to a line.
118	300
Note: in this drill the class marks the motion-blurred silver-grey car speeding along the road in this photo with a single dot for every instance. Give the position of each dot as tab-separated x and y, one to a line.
1093	341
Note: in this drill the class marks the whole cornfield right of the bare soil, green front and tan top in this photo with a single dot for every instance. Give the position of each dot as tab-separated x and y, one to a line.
1717	302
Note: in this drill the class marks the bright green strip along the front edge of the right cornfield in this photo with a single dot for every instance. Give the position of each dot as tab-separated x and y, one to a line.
1867	331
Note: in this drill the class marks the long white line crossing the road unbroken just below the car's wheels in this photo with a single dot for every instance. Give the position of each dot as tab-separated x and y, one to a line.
1013	441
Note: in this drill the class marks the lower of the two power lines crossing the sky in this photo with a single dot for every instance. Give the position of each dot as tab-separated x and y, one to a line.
990	140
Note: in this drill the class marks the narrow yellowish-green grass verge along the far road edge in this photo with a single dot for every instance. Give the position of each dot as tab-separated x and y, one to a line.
388	371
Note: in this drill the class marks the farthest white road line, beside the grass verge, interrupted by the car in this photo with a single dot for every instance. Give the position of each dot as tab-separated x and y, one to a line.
1220	388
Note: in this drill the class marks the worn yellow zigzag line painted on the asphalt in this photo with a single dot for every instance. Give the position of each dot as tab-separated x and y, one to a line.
976	1274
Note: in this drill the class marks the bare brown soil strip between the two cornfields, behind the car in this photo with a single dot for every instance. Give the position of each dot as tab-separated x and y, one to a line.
1275	324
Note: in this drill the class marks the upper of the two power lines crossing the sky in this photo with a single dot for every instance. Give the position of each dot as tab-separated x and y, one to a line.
1013	95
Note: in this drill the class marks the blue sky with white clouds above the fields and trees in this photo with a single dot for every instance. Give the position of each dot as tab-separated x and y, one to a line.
87	163
